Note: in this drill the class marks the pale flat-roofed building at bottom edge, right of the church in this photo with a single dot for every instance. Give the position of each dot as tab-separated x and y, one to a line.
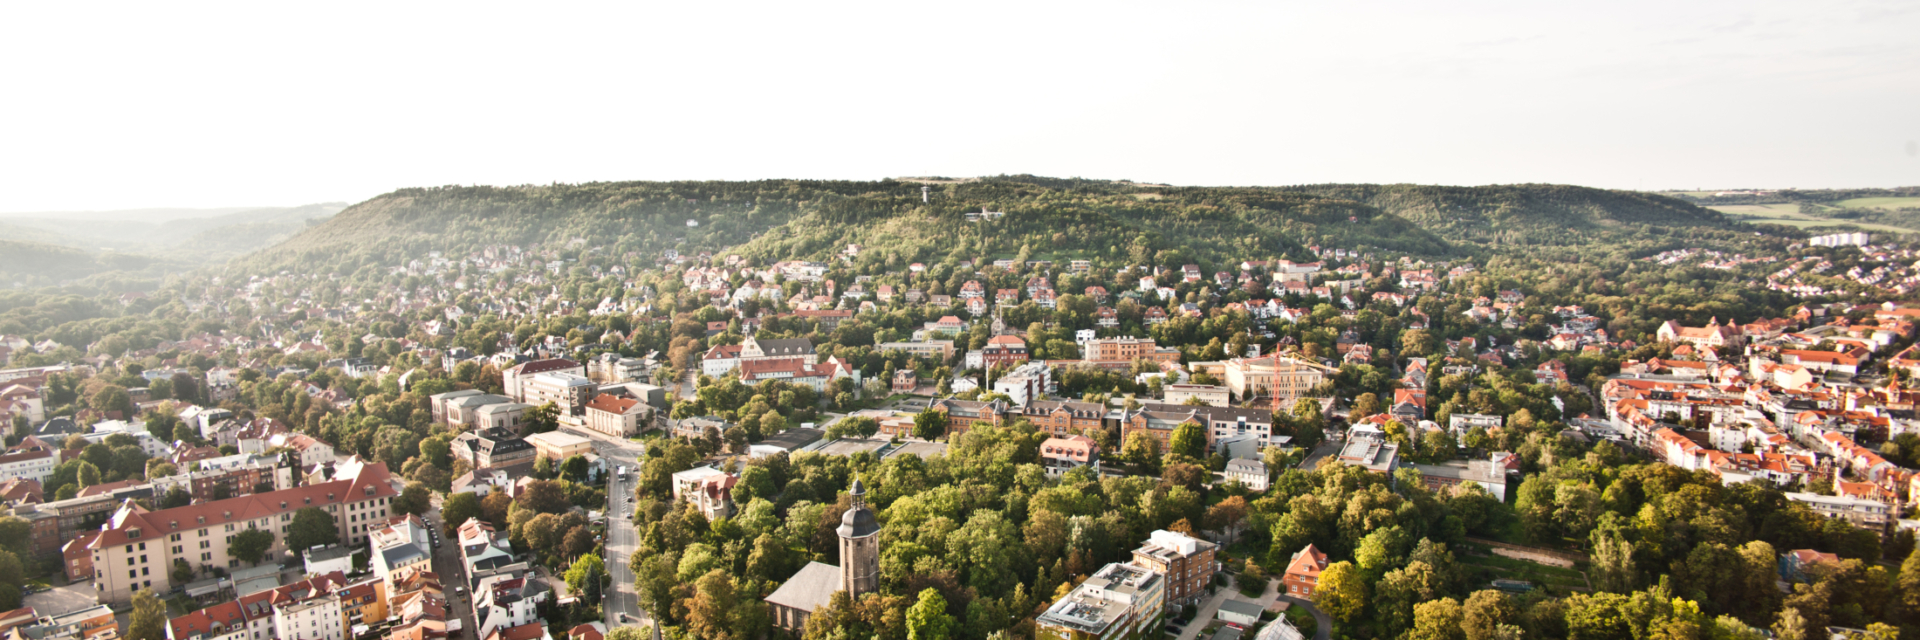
1118	603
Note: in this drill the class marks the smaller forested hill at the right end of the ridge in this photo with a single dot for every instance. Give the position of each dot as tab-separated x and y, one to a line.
1510	216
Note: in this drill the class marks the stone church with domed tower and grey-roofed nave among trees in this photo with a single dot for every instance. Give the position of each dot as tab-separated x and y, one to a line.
859	574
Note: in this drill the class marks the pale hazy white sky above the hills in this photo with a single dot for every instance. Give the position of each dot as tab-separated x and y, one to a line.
191	105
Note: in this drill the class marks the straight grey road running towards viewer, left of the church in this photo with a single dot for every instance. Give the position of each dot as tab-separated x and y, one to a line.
621	606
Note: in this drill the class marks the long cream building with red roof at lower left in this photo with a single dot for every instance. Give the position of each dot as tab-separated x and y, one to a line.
147	543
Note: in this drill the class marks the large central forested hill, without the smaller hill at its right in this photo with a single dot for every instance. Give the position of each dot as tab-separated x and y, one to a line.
780	220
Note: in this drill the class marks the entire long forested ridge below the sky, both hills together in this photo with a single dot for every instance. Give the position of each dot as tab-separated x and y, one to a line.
1045	220
